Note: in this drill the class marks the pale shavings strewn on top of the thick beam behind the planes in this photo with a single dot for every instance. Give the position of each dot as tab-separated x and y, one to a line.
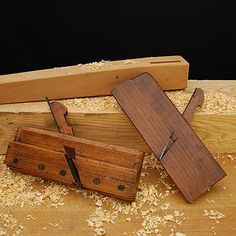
215	102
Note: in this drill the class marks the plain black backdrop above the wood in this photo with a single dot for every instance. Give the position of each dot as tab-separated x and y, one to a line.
37	36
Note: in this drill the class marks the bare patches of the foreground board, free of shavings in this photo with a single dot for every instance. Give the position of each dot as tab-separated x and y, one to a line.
71	218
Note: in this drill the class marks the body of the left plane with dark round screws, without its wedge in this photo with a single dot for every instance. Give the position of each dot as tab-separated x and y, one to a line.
110	169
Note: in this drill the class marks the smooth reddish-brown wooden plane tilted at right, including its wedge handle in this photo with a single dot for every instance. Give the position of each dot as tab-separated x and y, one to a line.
167	132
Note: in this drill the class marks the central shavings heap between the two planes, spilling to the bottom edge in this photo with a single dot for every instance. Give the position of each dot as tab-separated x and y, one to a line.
154	197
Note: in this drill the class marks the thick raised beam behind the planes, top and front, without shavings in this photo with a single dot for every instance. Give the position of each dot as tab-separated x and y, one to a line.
215	129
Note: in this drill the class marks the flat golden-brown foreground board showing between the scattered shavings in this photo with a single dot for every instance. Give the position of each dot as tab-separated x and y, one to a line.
71	219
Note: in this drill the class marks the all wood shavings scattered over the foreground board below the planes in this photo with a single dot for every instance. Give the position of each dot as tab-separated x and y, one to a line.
151	206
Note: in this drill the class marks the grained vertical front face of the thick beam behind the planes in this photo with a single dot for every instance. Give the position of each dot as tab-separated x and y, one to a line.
217	131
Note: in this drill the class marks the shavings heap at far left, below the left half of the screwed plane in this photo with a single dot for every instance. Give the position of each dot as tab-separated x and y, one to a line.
17	189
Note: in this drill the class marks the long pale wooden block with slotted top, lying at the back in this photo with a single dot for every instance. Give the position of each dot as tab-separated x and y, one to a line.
91	80
